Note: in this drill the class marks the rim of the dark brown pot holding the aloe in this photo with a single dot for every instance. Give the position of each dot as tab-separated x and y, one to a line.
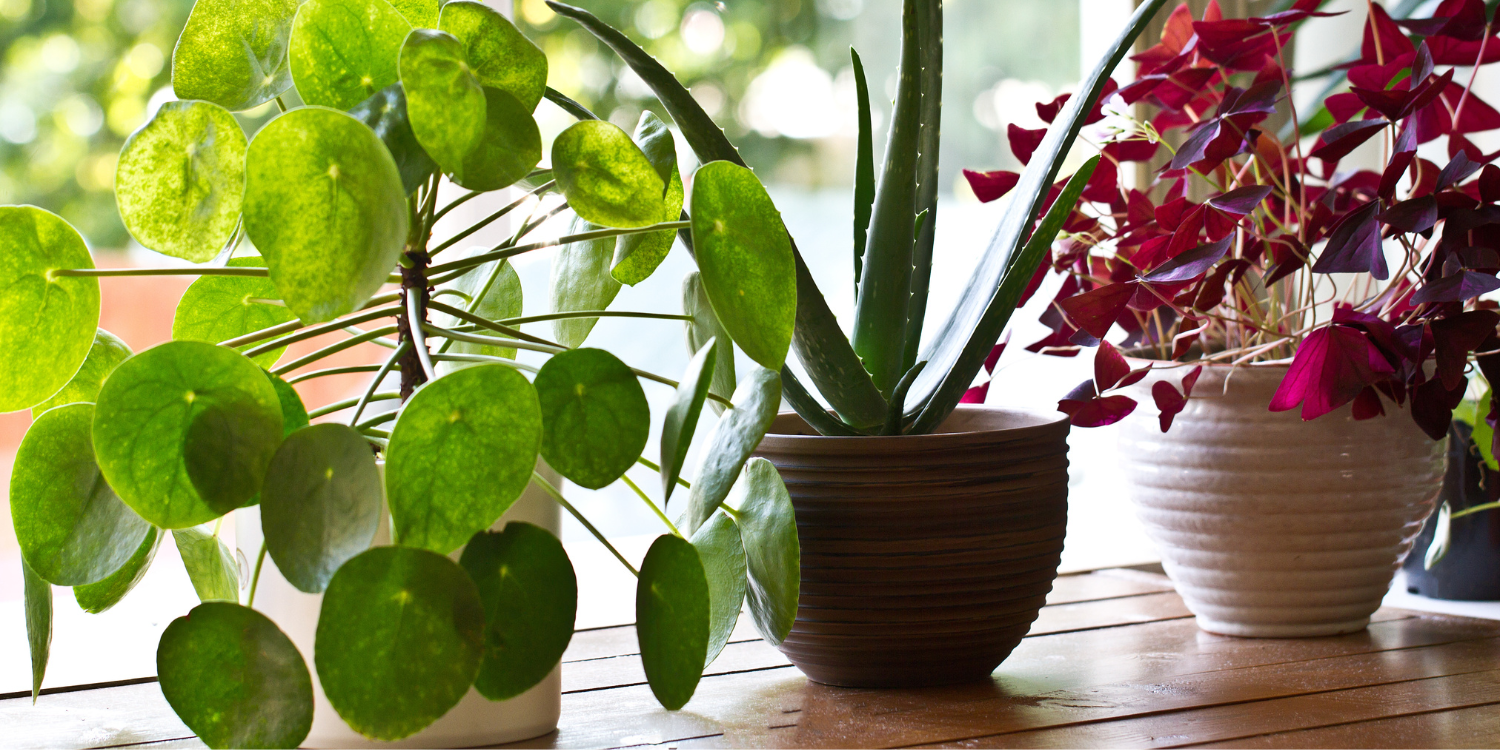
787	430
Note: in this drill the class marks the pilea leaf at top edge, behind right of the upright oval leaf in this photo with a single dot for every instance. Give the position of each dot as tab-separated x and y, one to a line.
499	53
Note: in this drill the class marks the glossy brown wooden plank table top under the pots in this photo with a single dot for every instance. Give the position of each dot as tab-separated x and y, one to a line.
1115	661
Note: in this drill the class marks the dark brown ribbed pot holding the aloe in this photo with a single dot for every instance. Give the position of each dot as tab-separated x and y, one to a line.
925	557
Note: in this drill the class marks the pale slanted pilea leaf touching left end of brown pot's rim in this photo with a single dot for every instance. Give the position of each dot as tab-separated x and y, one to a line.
737	434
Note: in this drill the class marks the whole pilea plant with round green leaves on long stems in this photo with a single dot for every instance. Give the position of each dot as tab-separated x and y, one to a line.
298	233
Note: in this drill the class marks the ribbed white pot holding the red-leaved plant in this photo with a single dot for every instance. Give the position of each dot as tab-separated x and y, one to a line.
1273	527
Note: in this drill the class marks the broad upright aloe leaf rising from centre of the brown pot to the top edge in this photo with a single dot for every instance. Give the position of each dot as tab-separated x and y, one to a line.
886	286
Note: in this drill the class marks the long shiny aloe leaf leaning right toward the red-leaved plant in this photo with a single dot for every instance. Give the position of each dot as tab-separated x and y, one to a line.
982	313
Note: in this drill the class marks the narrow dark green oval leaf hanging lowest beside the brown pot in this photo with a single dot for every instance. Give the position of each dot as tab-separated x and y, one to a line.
673	620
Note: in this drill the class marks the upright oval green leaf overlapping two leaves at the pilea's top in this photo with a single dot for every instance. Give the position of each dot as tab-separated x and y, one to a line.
445	101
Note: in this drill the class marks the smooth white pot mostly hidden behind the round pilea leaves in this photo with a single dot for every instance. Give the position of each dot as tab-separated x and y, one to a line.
475	721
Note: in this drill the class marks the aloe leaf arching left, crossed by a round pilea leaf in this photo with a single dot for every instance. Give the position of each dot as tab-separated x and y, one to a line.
820	341
